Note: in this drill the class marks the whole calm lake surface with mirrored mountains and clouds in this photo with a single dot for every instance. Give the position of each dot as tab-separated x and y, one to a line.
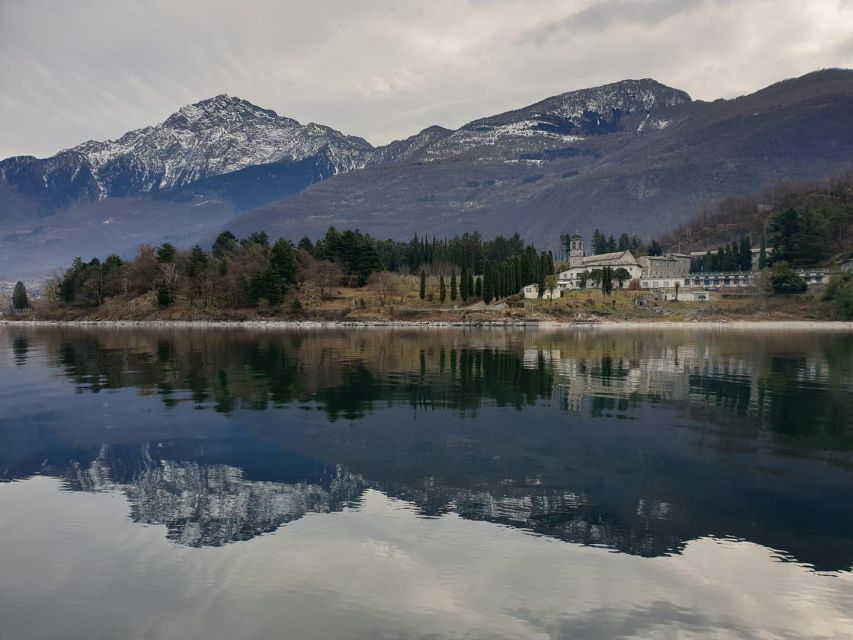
425	484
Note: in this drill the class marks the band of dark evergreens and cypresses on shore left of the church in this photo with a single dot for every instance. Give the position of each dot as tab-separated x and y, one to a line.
255	272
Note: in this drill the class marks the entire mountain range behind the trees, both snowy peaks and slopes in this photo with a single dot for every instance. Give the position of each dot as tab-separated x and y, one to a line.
634	156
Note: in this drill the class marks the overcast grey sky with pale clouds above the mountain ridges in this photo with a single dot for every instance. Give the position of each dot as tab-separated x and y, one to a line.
75	70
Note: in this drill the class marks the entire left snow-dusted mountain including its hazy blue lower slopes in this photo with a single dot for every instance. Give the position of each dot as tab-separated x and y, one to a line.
175	181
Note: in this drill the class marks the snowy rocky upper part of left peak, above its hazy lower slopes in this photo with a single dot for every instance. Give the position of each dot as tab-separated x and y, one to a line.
213	137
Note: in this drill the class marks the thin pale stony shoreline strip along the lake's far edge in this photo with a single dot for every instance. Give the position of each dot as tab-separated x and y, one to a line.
743	325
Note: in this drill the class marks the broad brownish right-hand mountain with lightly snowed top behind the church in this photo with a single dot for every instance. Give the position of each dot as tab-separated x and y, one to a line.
634	157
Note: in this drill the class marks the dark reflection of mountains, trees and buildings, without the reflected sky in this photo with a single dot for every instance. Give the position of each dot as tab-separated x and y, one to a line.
636	442
